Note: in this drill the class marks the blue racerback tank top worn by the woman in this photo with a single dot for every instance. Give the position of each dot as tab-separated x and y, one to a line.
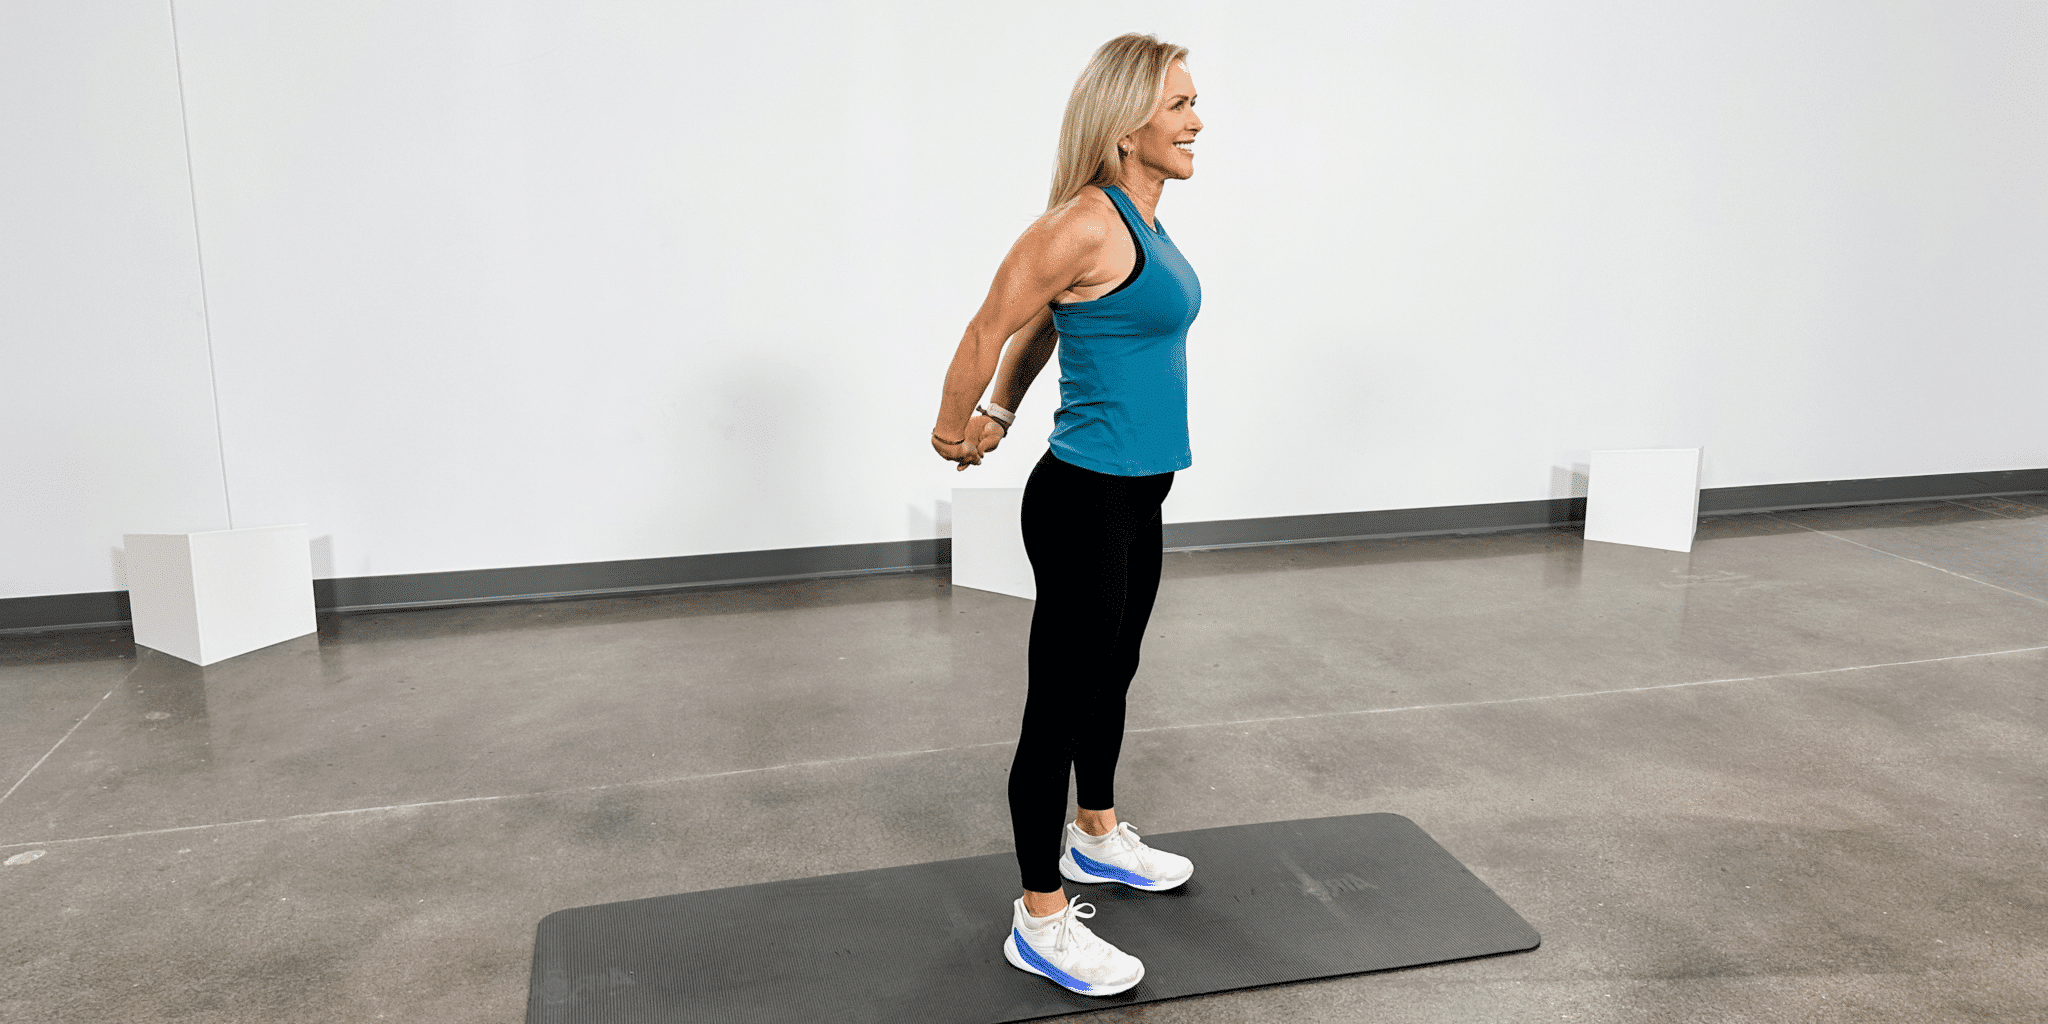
1123	364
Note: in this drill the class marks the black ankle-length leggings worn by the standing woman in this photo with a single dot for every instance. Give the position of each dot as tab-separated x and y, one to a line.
1095	546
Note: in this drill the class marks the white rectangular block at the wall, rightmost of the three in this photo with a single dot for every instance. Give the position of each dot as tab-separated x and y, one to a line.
1644	497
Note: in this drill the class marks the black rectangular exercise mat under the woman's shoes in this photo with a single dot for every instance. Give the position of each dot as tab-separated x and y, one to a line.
923	945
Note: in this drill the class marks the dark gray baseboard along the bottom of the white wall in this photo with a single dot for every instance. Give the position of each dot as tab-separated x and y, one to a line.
730	568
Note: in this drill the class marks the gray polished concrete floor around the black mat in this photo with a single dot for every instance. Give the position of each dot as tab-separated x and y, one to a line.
1795	775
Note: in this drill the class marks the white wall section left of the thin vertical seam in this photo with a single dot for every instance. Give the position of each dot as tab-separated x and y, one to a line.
105	392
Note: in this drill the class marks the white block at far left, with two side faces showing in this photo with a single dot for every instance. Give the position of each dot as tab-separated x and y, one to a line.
208	597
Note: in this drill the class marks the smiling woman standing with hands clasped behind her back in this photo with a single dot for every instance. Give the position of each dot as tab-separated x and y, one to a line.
1097	278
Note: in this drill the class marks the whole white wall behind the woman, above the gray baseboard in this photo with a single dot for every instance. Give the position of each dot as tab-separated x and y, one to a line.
484	284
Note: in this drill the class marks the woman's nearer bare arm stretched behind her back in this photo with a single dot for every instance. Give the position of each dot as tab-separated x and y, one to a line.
1052	255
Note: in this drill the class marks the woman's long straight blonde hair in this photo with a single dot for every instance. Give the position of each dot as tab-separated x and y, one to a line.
1115	97
